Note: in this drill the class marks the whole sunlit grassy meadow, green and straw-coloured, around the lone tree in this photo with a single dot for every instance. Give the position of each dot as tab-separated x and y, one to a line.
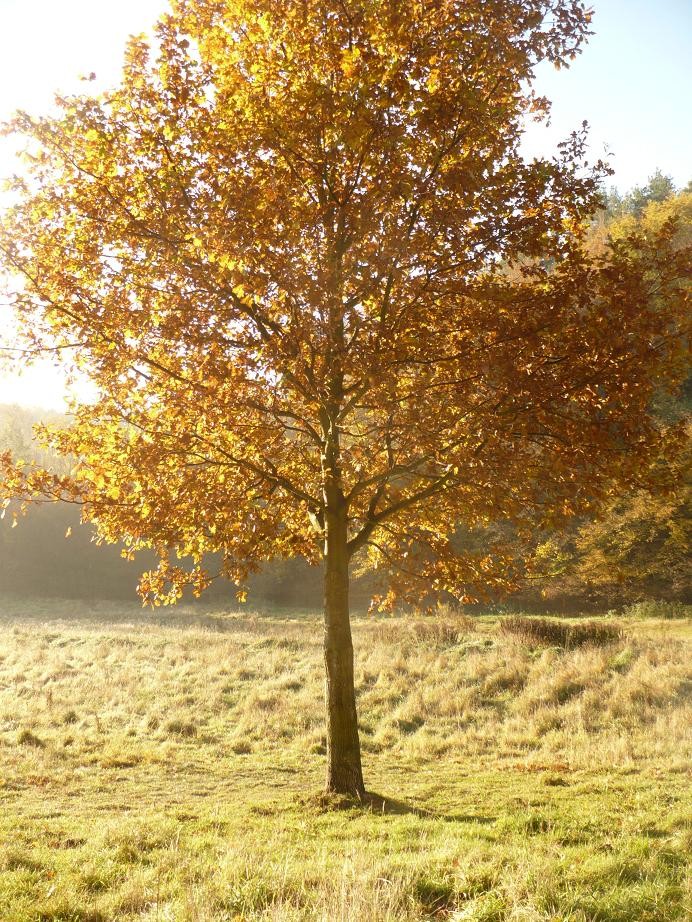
168	768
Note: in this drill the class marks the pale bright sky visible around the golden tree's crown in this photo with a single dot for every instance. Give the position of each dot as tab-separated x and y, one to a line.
632	83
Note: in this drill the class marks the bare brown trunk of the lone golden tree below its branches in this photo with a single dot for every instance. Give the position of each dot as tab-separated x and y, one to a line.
344	771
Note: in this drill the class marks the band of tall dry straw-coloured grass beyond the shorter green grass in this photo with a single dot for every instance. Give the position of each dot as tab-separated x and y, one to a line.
71	695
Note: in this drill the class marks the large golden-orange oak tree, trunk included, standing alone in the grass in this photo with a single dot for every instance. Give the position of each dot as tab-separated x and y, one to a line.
328	308
